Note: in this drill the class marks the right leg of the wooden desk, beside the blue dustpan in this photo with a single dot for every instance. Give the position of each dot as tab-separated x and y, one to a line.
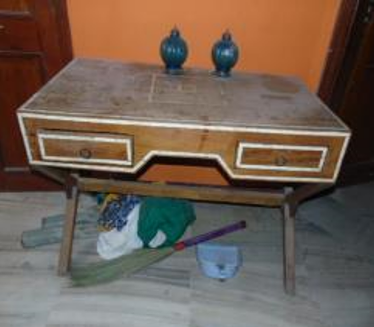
289	248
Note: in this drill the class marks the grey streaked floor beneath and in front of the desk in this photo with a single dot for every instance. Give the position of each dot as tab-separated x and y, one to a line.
335	271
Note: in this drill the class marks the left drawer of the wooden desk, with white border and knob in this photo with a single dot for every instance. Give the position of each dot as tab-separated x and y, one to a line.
88	148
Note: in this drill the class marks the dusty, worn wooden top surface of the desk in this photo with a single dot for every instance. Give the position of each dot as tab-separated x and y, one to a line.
143	92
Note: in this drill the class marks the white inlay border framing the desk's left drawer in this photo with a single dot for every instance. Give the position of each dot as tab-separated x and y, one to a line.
126	141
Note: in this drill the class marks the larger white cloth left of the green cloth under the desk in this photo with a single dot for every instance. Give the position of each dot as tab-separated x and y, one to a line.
113	244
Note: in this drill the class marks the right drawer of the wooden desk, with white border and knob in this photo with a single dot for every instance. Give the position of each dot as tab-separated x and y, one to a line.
280	157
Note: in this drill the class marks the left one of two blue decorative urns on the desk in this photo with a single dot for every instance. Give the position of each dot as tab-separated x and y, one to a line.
174	52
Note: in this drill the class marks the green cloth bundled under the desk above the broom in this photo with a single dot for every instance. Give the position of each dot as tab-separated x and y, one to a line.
172	216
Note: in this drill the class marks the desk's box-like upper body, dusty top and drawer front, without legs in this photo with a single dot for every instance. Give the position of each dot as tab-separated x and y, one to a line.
286	132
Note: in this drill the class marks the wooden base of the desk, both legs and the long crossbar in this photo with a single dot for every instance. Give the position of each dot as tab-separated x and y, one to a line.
287	199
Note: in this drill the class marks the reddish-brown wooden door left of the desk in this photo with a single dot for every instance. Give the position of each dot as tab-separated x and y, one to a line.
34	46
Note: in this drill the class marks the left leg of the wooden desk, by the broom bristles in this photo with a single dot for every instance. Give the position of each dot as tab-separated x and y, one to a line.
72	194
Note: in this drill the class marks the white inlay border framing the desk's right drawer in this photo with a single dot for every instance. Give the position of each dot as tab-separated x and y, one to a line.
247	145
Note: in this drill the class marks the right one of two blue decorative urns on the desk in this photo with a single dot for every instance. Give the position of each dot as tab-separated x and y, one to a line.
225	54
